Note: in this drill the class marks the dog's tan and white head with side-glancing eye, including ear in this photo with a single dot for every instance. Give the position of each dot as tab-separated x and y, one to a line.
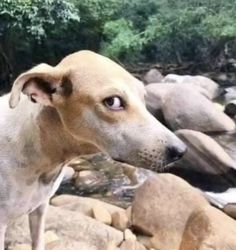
101	103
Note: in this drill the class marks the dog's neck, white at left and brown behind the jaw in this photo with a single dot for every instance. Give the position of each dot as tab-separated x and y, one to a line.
34	136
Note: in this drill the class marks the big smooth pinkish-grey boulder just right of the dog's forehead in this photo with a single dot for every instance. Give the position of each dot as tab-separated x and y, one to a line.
185	107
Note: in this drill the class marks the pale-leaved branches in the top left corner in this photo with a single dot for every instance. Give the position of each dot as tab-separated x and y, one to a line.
35	17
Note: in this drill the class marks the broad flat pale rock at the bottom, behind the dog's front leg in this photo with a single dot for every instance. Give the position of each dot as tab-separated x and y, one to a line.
74	230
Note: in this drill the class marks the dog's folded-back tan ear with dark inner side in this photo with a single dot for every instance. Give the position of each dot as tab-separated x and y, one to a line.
40	84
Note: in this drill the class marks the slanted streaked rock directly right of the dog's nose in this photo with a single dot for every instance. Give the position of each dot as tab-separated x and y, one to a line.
204	154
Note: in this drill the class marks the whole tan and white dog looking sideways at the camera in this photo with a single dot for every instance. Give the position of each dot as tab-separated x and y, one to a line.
86	100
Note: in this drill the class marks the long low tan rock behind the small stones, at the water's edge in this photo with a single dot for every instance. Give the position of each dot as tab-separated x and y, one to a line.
83	205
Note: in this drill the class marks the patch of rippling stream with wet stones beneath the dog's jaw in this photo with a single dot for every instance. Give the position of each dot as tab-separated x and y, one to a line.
104	178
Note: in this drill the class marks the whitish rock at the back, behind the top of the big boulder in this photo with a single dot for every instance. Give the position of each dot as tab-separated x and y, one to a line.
211	88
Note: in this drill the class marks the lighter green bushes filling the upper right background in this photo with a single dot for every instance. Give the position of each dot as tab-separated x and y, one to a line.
168	30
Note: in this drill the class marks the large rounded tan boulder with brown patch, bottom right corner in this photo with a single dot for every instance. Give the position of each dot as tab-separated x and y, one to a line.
176	216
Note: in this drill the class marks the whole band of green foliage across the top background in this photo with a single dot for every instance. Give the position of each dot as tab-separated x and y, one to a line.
32	31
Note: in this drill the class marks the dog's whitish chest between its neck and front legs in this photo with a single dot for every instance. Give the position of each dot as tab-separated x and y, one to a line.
20	195
